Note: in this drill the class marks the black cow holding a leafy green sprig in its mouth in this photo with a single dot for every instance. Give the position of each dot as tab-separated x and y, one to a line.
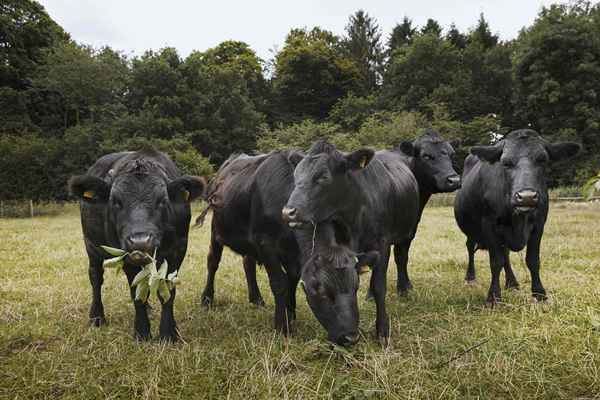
135	201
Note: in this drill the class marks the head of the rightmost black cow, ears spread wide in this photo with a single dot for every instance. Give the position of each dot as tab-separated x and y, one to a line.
524	155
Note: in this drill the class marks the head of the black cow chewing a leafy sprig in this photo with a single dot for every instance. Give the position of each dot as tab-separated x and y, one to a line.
139	200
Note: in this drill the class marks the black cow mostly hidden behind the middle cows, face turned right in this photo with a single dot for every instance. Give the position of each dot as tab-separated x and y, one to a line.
429	158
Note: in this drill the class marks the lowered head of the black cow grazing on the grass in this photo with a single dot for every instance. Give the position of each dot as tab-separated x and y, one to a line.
330	279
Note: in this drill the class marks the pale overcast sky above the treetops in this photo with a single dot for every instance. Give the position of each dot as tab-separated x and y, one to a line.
137	25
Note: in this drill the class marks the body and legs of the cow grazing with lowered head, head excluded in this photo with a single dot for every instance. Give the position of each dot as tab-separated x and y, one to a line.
247	196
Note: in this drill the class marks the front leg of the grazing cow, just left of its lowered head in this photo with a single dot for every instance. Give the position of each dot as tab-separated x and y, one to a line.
280	287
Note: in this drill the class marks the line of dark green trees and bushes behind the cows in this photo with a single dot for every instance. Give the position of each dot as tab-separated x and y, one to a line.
63	104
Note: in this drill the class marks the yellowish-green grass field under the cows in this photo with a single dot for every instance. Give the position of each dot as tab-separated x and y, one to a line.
526	350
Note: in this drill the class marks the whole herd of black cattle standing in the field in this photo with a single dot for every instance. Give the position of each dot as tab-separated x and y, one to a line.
318	219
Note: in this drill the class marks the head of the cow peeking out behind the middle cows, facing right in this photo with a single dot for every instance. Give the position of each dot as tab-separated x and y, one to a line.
433	162
